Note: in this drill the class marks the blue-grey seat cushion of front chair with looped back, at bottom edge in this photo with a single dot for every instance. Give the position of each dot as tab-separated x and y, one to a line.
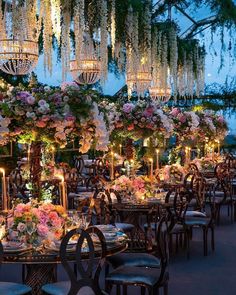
62	288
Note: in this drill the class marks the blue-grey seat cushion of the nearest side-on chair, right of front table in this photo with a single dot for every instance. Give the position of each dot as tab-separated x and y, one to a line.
136	275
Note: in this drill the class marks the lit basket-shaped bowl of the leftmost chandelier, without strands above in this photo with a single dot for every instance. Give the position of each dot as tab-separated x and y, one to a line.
18	57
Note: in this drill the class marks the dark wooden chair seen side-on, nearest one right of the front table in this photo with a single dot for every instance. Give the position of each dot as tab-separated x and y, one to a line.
150	278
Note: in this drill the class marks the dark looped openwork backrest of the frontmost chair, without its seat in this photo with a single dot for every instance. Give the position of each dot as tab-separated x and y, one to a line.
95	259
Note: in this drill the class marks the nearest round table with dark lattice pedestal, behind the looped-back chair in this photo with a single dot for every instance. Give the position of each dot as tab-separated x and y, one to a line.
39	266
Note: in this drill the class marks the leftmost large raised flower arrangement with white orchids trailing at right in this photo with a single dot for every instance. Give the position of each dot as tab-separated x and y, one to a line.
52	115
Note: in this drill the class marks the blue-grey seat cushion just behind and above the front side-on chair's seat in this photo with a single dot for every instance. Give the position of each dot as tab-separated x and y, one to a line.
134	259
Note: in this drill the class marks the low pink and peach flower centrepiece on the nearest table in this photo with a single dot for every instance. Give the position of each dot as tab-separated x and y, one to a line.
36	222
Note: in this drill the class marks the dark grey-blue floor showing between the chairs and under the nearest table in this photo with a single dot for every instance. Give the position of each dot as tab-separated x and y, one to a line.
211	275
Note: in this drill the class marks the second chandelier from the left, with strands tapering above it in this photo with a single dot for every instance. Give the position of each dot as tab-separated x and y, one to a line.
87	68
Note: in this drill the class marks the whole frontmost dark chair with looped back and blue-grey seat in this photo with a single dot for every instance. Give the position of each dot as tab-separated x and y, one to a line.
83	281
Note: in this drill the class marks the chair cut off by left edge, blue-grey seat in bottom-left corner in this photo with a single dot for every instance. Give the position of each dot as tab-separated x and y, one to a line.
9	288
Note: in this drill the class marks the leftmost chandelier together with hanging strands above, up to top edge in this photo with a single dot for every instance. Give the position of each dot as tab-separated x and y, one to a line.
19	31
